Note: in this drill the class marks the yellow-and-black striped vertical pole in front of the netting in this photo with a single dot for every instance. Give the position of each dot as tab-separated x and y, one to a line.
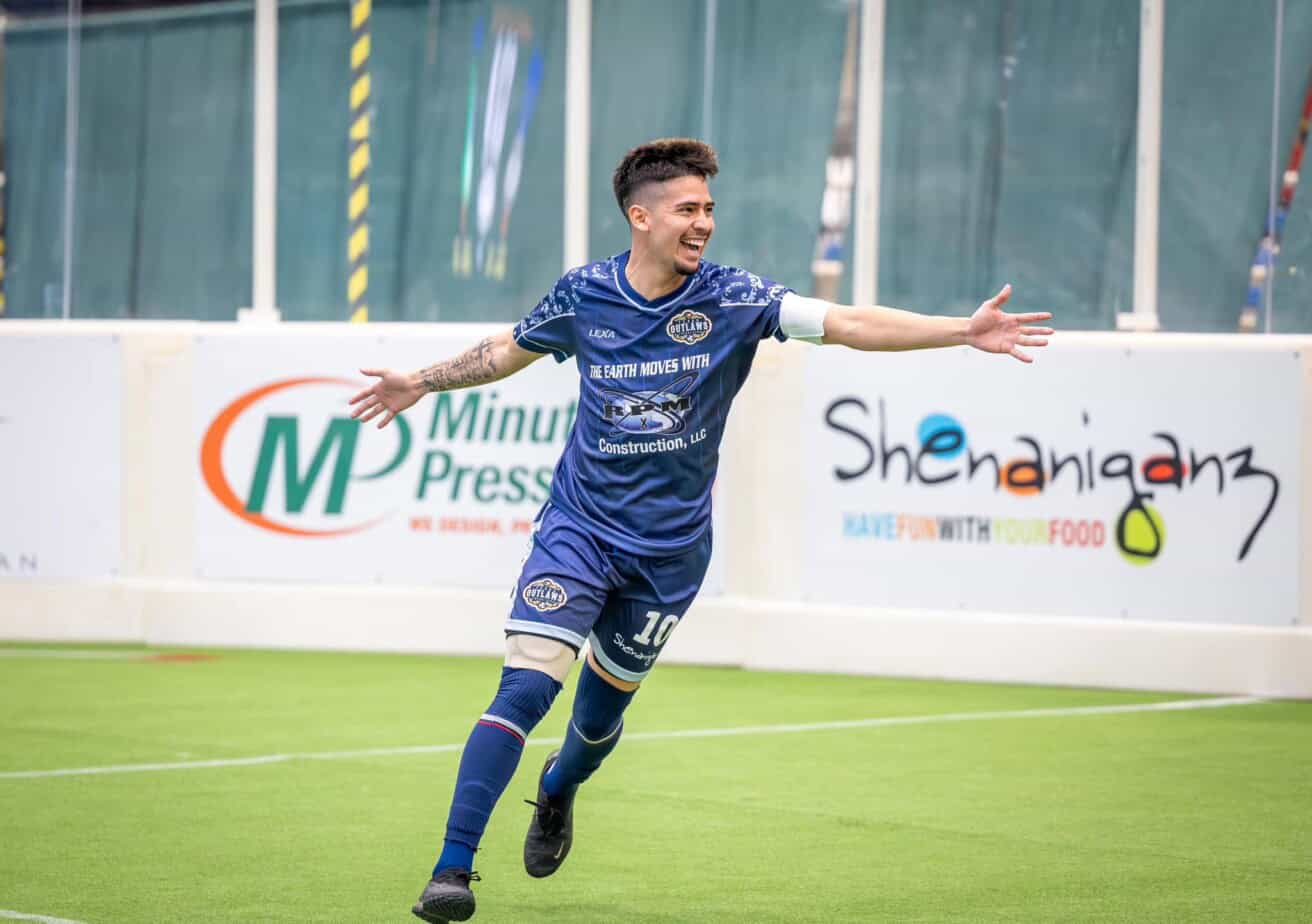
358	208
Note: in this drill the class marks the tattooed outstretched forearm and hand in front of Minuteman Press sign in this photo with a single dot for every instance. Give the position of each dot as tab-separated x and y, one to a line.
491	360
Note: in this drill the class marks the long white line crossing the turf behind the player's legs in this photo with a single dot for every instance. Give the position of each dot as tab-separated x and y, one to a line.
1171	705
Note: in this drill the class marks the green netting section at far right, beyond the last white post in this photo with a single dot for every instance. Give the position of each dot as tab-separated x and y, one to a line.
1217	162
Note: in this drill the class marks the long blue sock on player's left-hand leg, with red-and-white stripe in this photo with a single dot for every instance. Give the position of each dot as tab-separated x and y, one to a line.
490	759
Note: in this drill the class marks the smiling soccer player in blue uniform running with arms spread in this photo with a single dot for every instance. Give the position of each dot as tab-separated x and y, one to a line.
663	341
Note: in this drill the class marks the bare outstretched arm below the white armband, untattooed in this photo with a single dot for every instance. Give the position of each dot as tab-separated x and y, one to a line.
990	329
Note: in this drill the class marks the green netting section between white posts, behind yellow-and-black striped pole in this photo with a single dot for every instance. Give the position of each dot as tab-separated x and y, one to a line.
420	75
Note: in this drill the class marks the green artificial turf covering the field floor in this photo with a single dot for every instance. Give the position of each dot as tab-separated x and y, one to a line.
1168	817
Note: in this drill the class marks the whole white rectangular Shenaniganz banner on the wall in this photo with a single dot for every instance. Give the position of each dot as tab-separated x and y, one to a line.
1157	484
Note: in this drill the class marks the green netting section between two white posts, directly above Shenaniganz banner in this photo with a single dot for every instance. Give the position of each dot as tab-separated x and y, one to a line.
1008	156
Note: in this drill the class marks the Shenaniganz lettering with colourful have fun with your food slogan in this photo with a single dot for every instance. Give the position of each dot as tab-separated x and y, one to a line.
937	452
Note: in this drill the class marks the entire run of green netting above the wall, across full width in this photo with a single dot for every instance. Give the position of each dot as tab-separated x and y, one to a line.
1008	153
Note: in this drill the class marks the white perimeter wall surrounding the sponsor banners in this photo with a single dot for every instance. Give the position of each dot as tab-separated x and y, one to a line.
763	620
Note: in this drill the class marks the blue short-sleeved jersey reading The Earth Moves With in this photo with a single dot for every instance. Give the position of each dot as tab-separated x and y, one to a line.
655	385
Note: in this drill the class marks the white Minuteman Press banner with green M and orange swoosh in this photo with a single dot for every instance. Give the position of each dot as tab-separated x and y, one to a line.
293	489
